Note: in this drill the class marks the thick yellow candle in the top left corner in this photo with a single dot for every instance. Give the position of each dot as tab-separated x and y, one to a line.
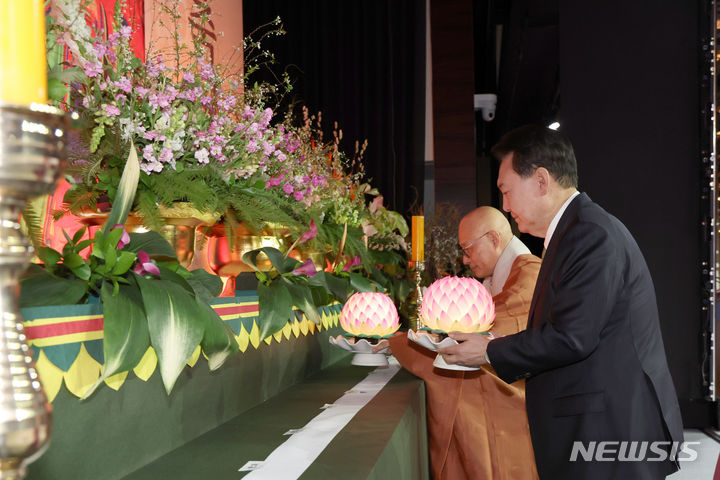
23	59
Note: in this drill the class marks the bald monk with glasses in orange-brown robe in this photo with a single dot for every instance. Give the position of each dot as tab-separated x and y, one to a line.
477	424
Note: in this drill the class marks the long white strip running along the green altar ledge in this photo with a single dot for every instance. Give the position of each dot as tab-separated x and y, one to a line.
292	458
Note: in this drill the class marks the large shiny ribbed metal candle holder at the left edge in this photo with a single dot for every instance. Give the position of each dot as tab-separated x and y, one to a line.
32	153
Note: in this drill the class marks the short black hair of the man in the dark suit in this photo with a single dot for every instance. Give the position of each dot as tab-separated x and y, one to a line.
535	146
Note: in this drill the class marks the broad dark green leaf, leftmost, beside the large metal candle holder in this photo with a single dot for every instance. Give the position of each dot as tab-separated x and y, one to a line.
44	289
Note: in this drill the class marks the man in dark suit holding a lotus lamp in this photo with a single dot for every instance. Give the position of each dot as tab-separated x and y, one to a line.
600	400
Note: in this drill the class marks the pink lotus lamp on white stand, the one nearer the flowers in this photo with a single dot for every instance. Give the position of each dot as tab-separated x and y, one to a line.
367	316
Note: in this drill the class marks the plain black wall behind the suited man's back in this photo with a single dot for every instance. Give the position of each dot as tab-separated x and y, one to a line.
629	101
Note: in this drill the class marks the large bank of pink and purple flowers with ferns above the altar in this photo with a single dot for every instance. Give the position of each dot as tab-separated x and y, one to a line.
202	135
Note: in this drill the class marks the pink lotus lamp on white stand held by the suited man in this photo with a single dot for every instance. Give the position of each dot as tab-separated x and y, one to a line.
454	304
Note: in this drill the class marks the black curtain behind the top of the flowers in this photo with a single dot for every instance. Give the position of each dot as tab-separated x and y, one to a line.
363	65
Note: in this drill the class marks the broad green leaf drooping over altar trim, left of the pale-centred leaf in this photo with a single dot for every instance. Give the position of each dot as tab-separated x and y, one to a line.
125	330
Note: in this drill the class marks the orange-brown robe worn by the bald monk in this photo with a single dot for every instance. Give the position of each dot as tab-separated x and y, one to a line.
477	424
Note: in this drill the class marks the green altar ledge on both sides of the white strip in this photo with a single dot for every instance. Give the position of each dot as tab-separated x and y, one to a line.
385	440
